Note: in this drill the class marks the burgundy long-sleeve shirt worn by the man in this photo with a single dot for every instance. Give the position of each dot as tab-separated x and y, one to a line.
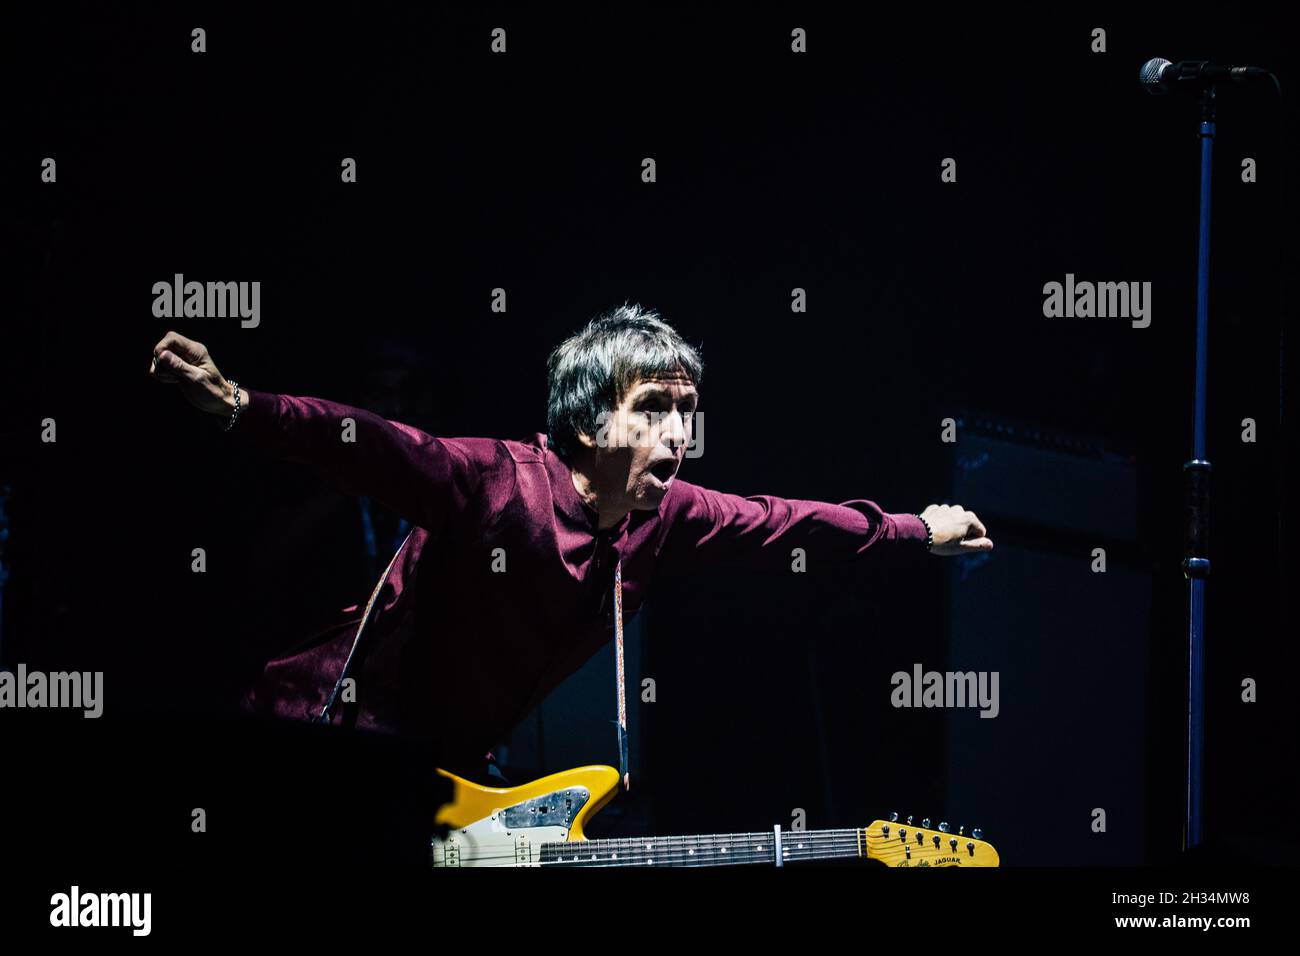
466	639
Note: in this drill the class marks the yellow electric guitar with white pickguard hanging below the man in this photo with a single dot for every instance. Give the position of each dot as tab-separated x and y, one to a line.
540	824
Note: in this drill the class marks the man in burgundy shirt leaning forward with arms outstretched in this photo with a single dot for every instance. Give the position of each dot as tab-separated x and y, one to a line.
508	583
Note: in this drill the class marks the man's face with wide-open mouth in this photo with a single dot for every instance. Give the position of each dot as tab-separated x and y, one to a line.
642	445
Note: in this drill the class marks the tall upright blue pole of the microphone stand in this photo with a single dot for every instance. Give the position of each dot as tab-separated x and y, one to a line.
1197	475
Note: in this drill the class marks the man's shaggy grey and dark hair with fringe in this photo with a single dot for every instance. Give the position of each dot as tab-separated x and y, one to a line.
593	370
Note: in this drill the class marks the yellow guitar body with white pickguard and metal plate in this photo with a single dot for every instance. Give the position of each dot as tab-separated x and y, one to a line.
505	827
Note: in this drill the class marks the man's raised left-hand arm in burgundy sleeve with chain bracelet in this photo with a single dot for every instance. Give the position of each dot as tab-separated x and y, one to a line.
413	474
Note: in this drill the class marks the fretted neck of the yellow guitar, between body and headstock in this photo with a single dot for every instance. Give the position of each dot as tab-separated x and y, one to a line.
710	850
